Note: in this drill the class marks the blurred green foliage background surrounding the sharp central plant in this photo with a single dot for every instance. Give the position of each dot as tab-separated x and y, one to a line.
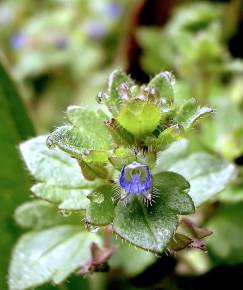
60	52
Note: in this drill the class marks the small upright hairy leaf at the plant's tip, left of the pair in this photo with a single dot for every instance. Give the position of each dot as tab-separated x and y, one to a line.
115	80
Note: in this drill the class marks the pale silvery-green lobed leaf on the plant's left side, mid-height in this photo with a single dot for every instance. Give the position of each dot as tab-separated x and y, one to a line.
61	180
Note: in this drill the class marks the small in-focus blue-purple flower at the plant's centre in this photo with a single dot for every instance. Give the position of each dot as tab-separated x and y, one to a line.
135	179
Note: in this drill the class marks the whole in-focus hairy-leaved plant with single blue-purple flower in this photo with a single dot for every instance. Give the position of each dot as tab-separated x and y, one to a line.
126	167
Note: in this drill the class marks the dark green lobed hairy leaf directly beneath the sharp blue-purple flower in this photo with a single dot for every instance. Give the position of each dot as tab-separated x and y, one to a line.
152	227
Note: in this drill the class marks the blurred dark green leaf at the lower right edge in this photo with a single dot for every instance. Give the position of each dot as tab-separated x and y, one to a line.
227	227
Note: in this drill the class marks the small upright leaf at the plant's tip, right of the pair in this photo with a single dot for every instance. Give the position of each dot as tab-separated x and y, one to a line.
163	85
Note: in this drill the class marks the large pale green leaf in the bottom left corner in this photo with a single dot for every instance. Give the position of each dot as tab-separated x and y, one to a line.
49	256
